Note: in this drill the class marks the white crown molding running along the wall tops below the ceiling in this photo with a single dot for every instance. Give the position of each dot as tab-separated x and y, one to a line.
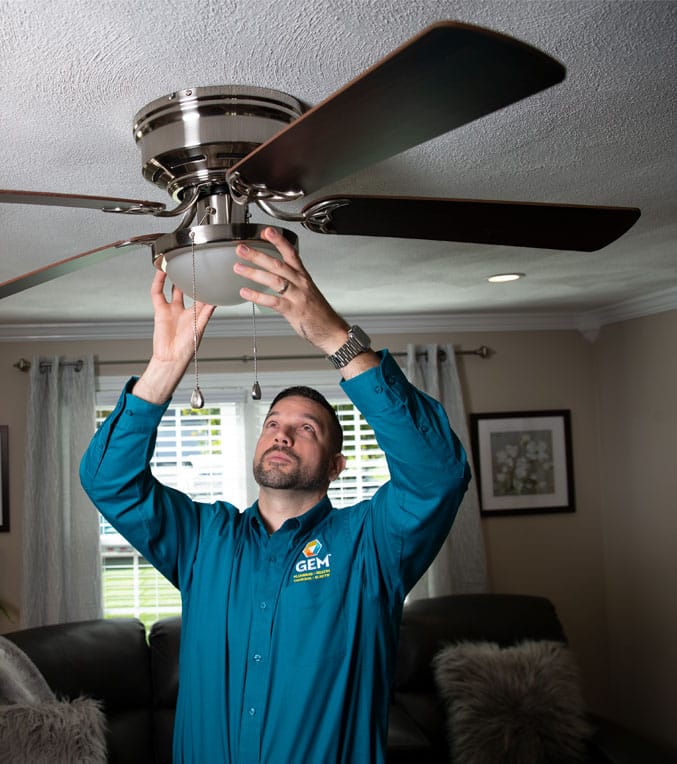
587	322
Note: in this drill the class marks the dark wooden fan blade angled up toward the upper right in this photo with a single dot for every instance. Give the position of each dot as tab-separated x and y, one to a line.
446	76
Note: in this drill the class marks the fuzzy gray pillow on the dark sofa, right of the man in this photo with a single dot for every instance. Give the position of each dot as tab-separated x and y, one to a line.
514	705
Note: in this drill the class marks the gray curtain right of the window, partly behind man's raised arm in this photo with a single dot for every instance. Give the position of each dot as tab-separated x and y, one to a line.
460	567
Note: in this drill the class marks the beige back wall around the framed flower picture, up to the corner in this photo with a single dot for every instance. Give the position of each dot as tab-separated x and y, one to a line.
554	555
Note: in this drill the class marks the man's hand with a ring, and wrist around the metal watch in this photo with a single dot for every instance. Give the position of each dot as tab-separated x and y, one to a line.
298	299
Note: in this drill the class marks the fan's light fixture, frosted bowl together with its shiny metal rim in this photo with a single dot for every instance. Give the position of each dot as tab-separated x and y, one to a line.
214	245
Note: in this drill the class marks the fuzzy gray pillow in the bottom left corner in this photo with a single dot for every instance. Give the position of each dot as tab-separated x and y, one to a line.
53	732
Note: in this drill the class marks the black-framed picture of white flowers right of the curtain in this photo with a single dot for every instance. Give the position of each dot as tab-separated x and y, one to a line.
523	462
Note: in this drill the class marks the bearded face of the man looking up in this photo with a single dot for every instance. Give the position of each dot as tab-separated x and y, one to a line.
294	448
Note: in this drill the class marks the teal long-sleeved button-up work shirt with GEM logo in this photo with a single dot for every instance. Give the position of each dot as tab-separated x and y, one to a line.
289	640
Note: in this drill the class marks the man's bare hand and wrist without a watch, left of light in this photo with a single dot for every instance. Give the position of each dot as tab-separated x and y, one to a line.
175	330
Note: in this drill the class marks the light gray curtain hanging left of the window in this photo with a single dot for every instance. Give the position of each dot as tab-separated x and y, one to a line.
61	562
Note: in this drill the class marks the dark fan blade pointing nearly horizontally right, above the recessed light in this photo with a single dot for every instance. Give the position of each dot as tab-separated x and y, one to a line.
516	224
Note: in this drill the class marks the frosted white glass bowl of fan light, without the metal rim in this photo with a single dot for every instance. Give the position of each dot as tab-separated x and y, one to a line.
215	282
